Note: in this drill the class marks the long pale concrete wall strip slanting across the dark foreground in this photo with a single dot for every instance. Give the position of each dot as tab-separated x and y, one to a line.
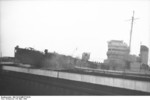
101	80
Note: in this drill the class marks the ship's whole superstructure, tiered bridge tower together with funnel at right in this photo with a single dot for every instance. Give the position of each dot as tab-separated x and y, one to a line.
118	57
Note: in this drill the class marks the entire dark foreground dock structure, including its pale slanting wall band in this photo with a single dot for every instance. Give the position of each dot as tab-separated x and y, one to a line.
16	80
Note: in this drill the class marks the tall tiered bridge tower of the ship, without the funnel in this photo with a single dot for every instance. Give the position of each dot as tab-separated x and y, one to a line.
116	54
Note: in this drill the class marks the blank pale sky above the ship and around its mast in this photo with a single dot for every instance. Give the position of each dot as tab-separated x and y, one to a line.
72	27
